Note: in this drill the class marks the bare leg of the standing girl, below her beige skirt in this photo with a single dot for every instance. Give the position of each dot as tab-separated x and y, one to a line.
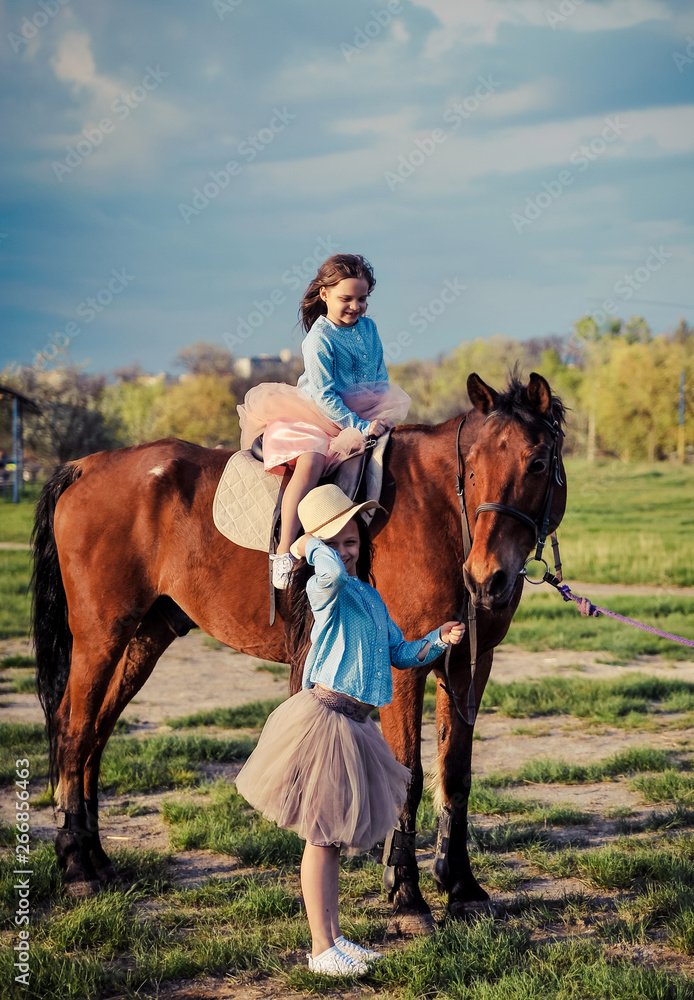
320	868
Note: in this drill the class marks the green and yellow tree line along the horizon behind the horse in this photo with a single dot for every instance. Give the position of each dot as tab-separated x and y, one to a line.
621	386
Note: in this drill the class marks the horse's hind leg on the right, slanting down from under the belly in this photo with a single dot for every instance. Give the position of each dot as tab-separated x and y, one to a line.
154	634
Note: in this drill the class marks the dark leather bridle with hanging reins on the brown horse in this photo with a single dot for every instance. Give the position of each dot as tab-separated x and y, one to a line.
540	528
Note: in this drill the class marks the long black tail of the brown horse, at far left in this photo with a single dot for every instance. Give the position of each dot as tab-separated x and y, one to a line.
52	636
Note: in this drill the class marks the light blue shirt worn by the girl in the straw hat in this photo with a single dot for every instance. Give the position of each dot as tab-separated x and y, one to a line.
354	640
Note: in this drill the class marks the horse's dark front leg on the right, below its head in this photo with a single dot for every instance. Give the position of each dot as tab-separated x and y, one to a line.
452	864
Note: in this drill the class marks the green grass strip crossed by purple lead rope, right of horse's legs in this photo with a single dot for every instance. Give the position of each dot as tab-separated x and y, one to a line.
544	621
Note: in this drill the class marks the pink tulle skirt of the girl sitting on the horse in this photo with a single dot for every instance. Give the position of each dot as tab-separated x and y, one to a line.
292	424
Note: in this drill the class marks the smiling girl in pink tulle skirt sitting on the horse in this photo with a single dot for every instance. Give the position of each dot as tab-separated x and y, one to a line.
342	398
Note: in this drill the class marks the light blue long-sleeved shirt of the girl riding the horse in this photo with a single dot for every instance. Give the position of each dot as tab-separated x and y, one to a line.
337	358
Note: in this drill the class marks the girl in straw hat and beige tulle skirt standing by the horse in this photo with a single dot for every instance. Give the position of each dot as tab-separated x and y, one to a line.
322	766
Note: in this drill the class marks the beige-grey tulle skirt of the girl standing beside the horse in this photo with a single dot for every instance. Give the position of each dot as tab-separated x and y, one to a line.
330	778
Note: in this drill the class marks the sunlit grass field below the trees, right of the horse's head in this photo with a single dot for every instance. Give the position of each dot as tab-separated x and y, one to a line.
629	524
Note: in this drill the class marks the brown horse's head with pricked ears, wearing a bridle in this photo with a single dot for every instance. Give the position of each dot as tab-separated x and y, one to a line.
513	480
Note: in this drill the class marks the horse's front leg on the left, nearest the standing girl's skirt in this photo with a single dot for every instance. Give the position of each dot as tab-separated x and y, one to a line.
401	722
